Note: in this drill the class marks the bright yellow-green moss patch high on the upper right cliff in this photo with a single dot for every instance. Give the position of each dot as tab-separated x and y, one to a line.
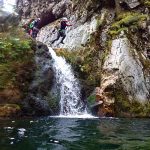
126	21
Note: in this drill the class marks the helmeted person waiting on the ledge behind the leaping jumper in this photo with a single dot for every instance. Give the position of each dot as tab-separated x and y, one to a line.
34	27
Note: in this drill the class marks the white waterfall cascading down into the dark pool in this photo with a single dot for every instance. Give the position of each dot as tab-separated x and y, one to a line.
70	96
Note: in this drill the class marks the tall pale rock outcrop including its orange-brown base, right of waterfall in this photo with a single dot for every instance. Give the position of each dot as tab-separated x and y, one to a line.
123	69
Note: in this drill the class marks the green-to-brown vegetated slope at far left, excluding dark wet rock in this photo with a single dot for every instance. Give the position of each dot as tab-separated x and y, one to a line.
16	67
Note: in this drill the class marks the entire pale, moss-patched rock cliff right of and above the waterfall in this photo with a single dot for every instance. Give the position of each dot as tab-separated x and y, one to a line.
108	47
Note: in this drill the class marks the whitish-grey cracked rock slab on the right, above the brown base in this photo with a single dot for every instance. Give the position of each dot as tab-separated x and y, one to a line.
126	68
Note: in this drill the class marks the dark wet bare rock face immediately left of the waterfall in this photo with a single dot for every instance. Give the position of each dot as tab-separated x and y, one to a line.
42	83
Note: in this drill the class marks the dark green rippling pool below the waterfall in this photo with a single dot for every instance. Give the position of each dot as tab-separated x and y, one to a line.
75	134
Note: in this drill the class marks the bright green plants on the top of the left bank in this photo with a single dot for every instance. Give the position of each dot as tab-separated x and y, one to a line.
14	47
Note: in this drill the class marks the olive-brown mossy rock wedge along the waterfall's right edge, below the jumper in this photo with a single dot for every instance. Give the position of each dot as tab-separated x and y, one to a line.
85	62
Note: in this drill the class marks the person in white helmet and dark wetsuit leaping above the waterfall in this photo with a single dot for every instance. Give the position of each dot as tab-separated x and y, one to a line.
62	30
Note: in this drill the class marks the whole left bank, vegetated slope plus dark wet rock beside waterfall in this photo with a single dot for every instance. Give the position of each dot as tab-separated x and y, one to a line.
25	76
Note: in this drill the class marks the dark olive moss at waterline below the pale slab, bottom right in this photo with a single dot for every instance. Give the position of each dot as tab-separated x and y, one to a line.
126	108
